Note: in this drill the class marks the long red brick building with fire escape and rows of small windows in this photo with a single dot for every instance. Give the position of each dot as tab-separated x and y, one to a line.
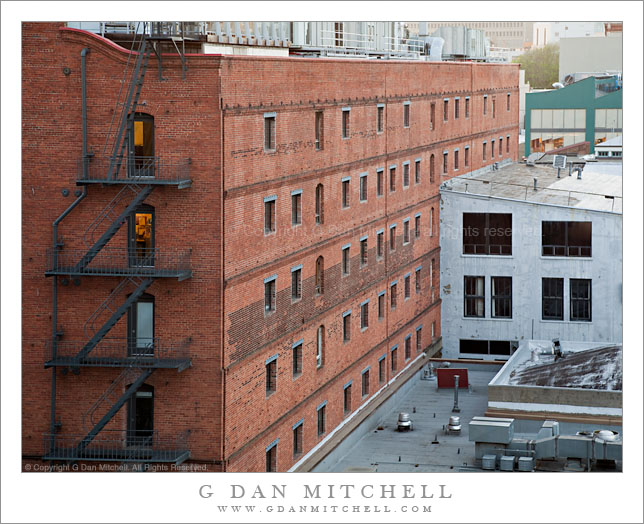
251	261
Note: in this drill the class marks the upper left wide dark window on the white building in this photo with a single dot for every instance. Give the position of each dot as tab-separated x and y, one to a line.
487	233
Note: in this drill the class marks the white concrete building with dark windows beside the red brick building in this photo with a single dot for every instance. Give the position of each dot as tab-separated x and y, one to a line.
523	264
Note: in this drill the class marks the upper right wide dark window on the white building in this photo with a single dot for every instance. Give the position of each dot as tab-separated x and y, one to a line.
566	239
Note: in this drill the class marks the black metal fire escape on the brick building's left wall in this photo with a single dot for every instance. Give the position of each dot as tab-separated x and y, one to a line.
138	178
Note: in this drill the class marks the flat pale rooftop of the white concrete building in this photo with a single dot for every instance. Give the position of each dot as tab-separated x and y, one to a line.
599	189
